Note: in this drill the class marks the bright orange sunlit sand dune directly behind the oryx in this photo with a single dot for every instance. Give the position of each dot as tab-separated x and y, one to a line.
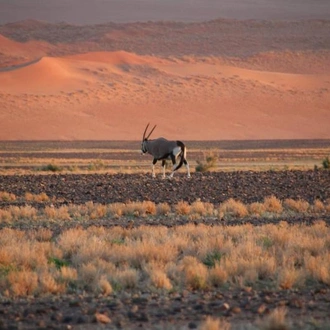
113	95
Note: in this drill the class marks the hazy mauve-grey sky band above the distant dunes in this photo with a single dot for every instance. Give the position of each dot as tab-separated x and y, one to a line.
101	11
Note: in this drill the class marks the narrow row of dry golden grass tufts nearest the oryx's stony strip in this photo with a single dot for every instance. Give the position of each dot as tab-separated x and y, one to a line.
229	209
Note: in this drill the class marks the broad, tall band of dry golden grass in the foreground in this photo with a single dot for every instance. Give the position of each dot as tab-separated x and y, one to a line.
106	260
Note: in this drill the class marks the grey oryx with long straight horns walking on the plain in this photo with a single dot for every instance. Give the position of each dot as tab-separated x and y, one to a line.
162	149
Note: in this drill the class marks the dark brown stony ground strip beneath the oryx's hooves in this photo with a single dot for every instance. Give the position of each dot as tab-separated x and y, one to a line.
214	187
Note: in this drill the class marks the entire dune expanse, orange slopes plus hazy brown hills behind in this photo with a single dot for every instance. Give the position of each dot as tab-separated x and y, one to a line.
222	79
